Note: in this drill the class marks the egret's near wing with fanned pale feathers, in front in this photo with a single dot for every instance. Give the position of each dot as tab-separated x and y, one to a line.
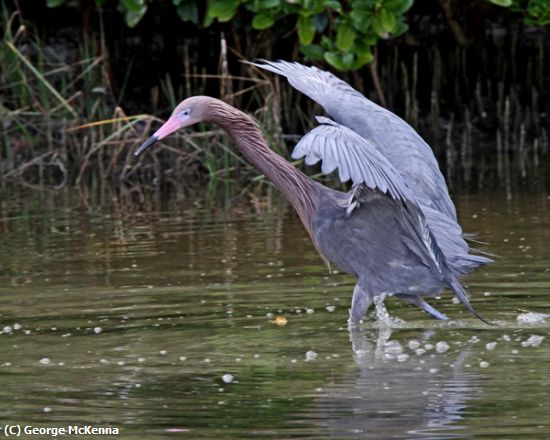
358	160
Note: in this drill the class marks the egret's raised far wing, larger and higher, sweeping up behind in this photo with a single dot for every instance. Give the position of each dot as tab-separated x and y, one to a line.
411	157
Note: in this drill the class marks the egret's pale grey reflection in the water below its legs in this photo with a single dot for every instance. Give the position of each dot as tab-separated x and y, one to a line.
397	393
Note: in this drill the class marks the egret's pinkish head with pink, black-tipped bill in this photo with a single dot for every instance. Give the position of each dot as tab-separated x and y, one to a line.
188	112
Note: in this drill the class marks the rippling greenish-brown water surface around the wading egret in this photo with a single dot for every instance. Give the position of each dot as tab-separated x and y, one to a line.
161	324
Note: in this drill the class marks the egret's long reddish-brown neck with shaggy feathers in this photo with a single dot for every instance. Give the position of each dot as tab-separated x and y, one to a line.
299	189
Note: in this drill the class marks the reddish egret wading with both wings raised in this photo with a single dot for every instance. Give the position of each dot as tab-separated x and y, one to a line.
396	229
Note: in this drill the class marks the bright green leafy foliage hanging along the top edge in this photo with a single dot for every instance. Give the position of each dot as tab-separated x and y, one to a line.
341	32
